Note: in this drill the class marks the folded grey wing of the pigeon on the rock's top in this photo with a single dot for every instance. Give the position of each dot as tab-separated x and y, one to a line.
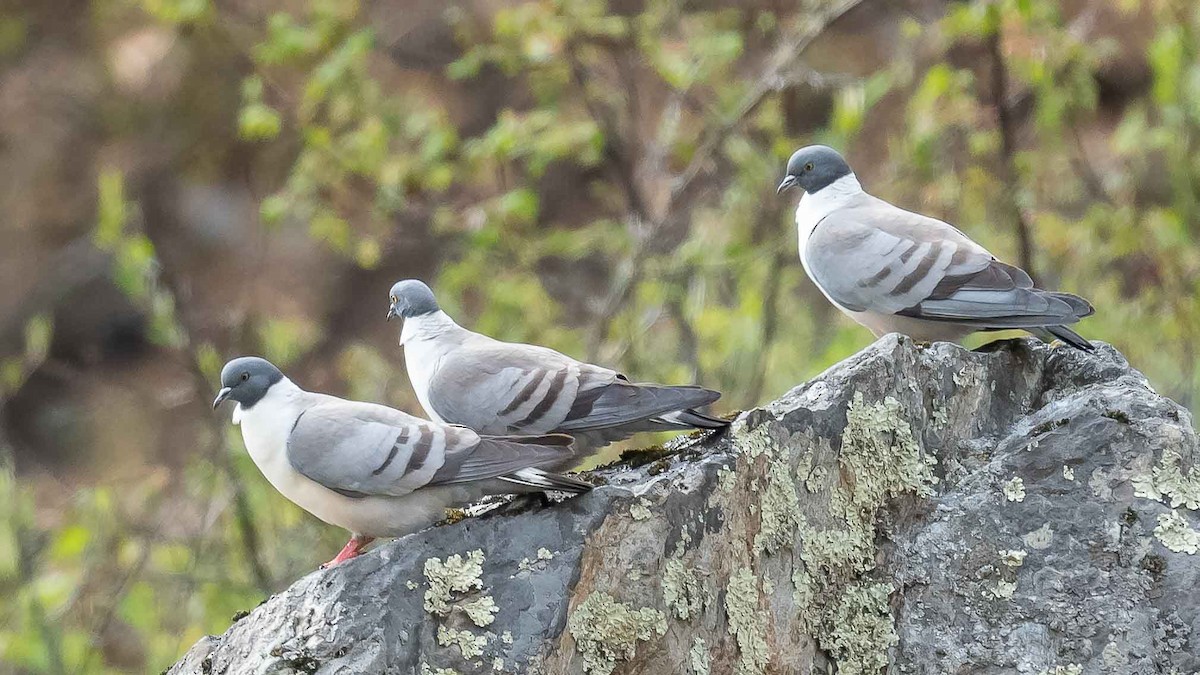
877	258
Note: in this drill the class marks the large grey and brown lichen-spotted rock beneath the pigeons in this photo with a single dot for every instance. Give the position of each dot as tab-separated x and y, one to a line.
915	509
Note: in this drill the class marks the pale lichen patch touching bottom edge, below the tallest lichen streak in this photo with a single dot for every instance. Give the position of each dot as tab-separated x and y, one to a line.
863	630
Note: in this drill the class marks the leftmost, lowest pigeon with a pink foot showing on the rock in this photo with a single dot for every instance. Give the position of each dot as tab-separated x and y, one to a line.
374	470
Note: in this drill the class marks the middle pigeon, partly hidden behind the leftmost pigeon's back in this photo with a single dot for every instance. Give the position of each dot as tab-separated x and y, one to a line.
494	387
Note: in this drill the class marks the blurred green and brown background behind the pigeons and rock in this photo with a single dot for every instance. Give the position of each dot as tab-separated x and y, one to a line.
183	182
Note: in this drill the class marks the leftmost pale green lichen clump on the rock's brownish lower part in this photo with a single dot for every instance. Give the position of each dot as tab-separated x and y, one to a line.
607	631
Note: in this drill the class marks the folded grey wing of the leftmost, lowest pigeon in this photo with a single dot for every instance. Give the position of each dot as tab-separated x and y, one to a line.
355	450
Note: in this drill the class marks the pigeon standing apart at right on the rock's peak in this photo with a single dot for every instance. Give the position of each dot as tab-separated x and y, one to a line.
899	272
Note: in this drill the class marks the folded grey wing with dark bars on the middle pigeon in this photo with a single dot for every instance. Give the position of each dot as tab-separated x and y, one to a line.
512	389
